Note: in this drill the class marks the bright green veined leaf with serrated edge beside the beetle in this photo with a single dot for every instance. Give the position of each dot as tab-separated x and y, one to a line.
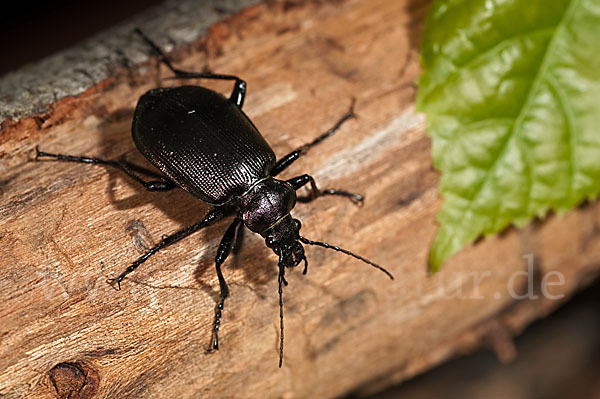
511	90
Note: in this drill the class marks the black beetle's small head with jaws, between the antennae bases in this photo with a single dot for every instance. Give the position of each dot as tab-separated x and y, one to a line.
282	238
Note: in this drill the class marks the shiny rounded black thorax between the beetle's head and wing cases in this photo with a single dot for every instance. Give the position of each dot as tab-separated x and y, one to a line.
266	203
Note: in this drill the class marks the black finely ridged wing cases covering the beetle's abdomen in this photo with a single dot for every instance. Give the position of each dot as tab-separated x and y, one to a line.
202	141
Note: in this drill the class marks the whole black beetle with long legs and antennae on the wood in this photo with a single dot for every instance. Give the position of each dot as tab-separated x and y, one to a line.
205	144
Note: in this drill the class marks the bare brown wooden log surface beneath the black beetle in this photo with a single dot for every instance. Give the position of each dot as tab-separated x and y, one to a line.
66	228
